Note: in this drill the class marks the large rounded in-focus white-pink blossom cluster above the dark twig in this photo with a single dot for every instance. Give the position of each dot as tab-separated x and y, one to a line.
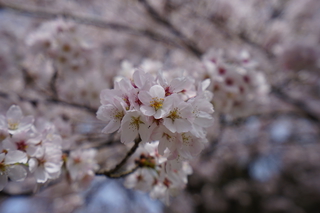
173	113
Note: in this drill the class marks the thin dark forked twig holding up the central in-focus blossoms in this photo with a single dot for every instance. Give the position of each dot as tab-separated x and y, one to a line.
111	173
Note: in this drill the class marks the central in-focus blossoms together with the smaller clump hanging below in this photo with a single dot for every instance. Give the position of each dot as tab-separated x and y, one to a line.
173	116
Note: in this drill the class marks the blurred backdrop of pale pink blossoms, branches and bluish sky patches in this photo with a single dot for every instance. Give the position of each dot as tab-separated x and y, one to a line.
261	157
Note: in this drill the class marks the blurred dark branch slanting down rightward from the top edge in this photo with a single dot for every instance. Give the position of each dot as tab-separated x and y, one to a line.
187	43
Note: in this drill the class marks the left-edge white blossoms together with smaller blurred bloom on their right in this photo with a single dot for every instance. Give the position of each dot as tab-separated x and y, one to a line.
35	147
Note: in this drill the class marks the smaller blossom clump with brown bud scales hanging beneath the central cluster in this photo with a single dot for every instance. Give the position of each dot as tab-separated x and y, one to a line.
156	175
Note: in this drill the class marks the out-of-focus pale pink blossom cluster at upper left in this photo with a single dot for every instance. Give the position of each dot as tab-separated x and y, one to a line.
59	42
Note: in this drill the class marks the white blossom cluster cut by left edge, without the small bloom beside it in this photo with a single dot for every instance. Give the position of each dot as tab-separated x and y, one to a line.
24	146
